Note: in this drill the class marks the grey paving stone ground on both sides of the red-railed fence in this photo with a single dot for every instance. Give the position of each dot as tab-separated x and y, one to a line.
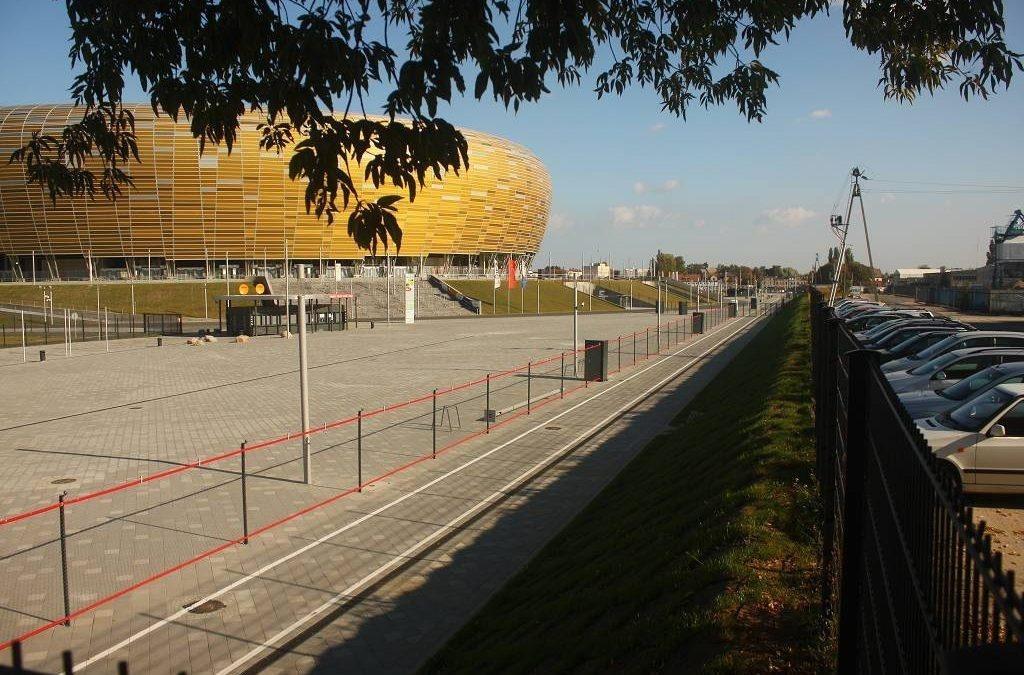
110	417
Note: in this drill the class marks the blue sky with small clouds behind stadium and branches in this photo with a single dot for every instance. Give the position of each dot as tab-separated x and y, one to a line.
629	180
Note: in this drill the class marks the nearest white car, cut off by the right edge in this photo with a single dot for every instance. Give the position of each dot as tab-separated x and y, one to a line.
980	444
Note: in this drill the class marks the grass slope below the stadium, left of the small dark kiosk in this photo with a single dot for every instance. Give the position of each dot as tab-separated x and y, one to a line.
154	298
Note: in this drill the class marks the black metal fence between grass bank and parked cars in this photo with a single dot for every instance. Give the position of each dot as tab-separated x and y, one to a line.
910	581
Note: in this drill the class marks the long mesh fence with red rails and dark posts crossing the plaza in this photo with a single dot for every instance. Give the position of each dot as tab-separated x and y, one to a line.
246	484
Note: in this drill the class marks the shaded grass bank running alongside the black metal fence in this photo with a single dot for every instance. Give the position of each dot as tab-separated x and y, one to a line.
700	557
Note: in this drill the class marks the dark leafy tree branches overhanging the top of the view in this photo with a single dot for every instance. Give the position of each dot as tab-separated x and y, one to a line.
293	61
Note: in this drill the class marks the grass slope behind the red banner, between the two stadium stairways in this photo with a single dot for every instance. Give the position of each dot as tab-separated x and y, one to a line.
554	298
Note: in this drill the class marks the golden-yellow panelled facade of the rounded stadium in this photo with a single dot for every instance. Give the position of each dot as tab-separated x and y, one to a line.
190	210
